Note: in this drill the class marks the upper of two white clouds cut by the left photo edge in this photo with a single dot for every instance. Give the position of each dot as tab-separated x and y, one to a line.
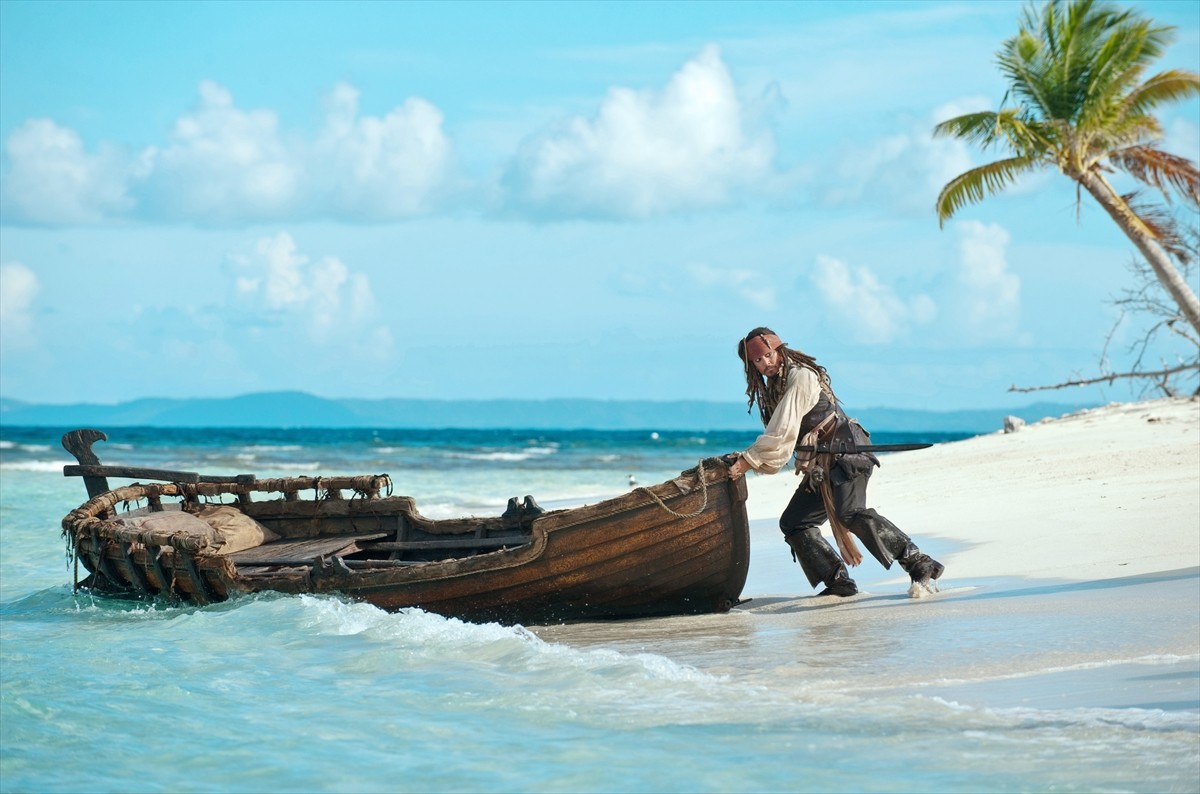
52	179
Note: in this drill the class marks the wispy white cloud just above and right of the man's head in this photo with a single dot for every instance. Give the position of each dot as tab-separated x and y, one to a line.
872	311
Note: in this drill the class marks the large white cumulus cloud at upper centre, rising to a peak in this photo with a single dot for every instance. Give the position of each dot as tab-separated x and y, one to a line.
646	153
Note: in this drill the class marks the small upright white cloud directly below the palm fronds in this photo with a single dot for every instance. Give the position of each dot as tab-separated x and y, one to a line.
988	297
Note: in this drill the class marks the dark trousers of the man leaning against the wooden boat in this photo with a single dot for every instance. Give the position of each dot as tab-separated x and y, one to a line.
801	525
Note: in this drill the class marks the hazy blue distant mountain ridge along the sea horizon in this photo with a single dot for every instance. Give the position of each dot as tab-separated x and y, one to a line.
299	410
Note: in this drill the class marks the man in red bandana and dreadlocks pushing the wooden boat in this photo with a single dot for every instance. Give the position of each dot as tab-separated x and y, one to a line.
799	408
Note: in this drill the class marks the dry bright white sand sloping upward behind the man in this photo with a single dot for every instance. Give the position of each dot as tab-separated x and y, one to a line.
1112	492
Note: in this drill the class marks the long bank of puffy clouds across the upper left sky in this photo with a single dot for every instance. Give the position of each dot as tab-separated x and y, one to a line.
226	165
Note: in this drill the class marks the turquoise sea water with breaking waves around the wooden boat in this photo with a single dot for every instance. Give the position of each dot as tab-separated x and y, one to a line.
304	694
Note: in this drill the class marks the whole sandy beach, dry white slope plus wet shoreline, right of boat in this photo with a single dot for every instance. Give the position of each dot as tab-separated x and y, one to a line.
1073	567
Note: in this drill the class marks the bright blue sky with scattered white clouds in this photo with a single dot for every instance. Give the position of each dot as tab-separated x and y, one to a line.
535	201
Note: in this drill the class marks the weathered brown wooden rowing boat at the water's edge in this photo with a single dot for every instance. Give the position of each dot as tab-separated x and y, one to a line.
679	548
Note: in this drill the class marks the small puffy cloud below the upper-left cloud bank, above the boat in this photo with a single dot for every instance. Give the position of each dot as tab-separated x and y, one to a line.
323	300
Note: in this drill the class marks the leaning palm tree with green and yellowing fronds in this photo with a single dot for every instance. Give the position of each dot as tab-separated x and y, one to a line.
1083	106
